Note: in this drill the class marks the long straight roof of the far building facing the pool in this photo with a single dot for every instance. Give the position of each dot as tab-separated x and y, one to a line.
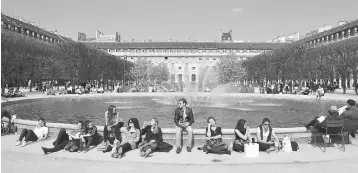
183	45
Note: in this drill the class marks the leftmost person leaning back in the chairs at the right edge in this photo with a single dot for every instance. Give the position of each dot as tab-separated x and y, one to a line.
319	123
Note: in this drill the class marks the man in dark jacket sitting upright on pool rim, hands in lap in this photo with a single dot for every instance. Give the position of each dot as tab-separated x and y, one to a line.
183	119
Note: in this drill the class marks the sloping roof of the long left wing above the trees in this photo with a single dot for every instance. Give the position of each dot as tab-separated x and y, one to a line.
18	23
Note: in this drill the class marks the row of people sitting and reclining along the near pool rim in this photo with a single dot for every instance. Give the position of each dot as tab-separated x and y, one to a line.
123	139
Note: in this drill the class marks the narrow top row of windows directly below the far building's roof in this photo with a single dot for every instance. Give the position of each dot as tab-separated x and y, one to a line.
183	50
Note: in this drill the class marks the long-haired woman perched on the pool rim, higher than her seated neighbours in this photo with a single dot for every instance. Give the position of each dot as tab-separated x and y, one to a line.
113	123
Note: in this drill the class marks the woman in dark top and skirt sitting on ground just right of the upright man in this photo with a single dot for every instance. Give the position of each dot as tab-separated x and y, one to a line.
214	142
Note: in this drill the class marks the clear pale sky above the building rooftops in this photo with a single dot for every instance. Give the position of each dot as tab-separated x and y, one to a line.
159	20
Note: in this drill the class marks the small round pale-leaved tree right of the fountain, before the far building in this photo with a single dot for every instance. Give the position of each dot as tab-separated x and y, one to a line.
230	69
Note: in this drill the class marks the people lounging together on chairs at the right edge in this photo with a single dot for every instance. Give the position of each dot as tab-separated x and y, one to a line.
347	112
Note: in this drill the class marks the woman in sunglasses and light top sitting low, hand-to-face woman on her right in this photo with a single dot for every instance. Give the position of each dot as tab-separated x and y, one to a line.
131	138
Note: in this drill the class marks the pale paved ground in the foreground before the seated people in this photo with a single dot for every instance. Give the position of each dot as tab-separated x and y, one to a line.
30	158
